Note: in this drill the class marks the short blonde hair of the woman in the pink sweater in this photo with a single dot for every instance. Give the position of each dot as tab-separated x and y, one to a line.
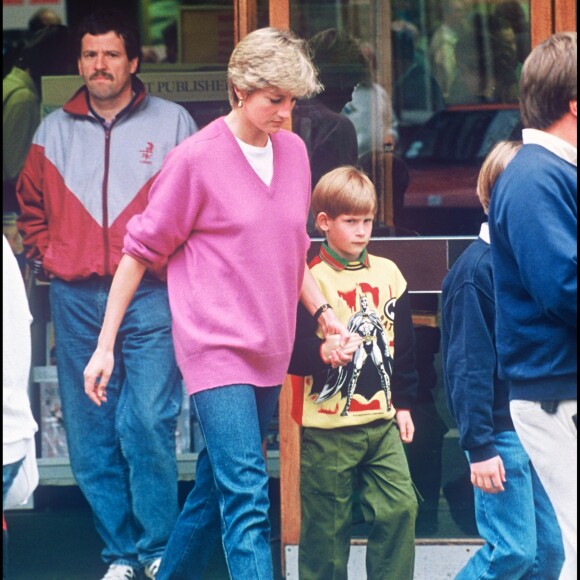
271	57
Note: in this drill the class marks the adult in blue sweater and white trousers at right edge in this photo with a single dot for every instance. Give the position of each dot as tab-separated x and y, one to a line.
533	221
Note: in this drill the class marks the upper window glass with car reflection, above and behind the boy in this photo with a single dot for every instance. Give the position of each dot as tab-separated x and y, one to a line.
435	73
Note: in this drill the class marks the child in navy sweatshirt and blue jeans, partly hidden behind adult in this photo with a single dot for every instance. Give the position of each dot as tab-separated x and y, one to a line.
513	513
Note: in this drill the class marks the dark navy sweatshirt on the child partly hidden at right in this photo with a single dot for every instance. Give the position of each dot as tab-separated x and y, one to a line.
477	398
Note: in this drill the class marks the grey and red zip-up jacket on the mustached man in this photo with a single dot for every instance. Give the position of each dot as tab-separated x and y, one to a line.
83	180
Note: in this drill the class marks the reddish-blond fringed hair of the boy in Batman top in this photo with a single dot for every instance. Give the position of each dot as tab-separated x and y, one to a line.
344	191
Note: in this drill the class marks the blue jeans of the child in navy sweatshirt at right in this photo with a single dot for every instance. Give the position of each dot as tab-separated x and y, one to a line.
519	526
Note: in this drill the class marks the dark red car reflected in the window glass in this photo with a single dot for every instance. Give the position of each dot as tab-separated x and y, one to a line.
444	158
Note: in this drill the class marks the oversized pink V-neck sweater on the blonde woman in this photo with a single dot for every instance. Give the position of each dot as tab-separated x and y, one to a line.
235	251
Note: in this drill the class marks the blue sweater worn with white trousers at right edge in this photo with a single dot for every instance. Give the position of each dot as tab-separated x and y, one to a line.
533	223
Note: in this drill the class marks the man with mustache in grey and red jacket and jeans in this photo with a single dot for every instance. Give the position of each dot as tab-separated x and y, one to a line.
88	172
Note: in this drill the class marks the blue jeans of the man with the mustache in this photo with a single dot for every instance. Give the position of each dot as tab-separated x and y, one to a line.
122	453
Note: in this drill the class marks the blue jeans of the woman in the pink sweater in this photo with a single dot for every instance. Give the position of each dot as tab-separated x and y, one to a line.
230	496
